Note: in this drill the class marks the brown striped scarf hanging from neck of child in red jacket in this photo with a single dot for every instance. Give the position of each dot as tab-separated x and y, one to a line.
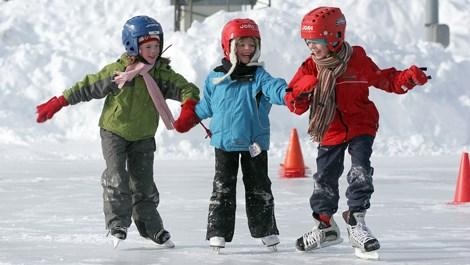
323	106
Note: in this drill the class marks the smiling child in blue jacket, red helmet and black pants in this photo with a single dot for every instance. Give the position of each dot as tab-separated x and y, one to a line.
237	97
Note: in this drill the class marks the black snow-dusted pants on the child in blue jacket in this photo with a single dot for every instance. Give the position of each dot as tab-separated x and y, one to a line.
258	195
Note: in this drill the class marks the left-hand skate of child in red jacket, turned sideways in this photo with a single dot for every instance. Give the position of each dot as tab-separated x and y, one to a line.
325	233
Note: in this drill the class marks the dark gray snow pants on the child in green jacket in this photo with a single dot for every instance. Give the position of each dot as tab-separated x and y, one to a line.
128	186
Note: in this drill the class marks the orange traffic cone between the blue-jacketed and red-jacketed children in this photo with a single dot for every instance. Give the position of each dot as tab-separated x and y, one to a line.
293	166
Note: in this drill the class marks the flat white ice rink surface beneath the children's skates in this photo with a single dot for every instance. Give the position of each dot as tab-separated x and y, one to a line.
51	214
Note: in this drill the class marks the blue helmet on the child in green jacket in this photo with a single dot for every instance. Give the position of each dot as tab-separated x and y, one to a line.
137	27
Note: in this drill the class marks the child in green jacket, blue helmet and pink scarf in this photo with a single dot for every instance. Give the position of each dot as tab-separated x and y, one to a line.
133	85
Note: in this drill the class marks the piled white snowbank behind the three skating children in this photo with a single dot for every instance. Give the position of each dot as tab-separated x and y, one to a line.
48	45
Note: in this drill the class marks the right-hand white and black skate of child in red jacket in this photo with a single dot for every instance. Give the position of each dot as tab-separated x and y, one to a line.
364	243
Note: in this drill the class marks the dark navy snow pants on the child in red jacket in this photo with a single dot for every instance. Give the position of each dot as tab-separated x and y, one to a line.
330	166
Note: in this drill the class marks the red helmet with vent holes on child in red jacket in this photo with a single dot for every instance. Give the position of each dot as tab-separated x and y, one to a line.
326	23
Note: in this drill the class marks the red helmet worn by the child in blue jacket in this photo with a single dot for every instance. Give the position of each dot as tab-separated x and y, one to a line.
237	28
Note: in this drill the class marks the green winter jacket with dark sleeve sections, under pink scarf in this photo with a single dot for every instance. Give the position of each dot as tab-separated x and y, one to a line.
129	112
